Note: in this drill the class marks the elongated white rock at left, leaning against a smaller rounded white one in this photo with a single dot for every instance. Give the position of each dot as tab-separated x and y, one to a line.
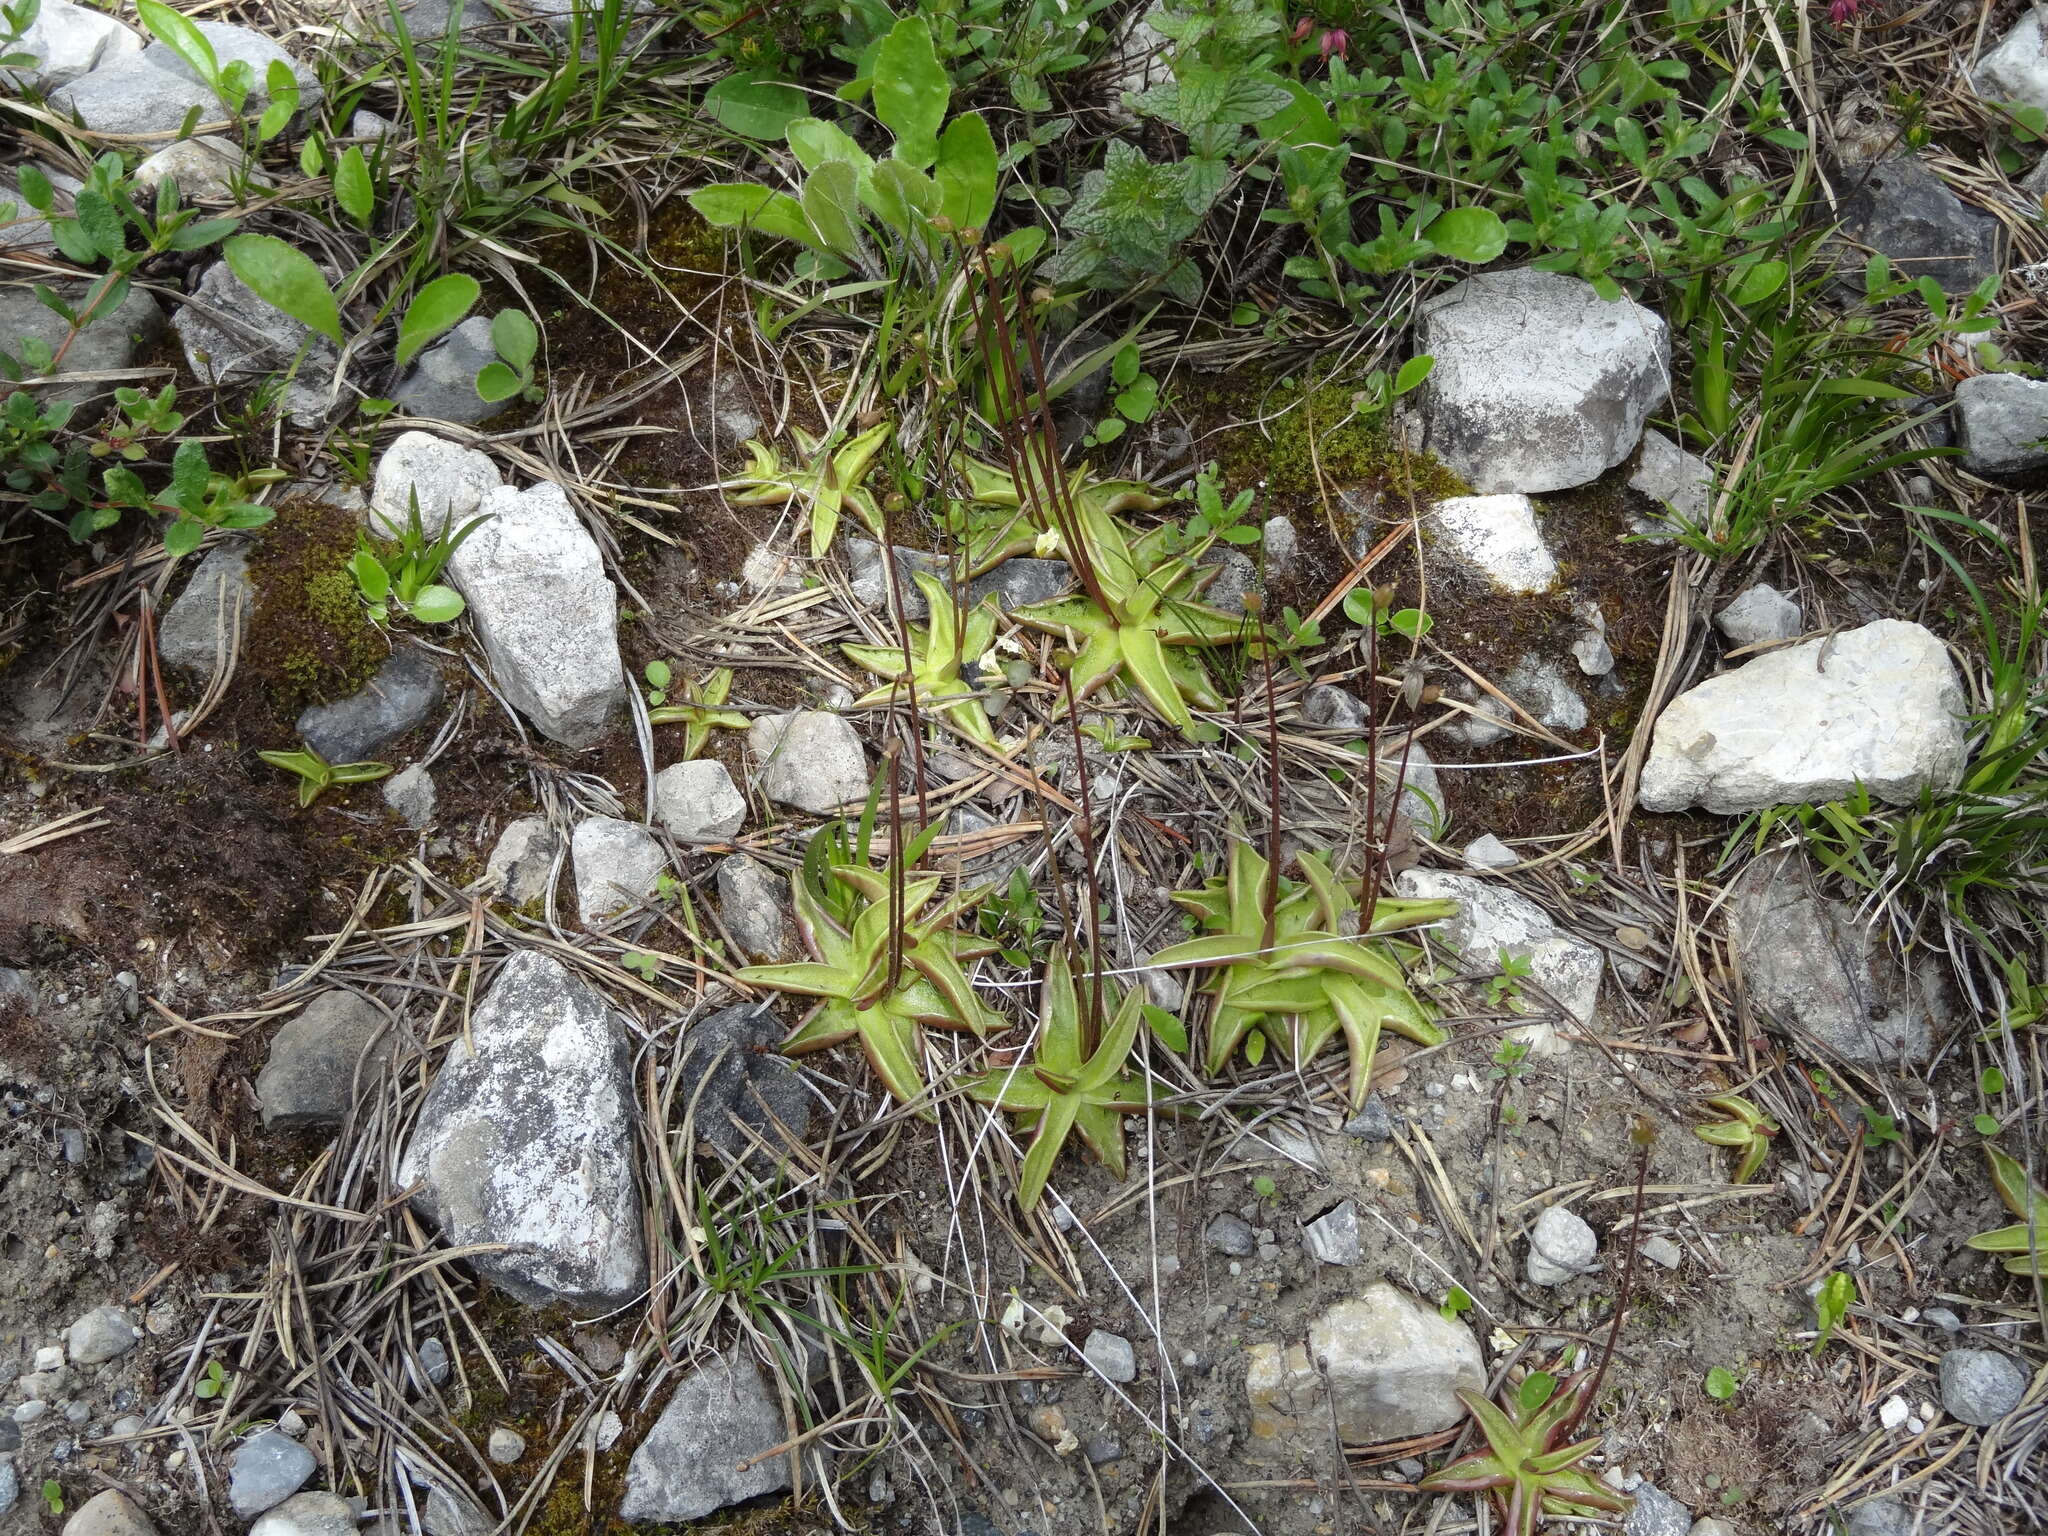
546	611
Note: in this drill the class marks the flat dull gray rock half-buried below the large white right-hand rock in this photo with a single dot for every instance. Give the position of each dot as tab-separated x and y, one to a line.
1816	970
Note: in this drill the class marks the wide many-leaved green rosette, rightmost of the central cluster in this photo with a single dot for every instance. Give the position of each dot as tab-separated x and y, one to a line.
1283	974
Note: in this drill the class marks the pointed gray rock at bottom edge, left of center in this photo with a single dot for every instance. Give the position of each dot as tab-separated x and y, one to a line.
724	1414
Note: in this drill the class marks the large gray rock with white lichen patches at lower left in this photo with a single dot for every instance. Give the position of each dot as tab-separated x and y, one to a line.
527	1140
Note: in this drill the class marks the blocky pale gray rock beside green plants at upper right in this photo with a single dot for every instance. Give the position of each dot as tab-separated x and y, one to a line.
1539	382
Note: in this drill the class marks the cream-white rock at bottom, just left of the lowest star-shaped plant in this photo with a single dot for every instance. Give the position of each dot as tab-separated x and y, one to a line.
1392	1369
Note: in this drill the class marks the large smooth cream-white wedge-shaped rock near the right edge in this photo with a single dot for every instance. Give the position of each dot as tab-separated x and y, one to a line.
1879	706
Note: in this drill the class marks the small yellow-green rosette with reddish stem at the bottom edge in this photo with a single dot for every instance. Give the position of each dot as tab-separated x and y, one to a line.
1525	1467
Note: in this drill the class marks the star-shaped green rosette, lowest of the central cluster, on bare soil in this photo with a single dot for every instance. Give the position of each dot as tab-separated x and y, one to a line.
1070	1089
